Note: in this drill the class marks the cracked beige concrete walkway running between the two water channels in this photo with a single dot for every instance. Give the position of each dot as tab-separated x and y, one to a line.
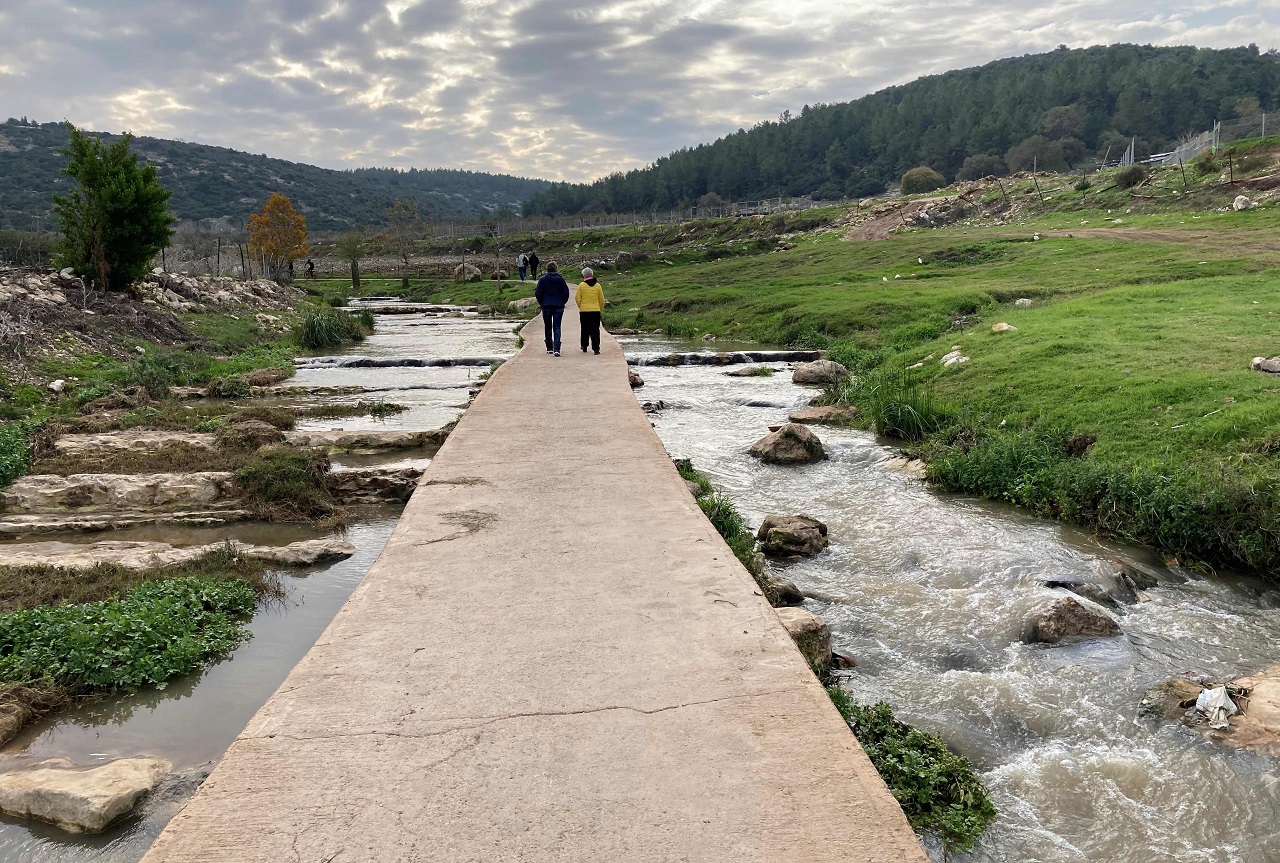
555	659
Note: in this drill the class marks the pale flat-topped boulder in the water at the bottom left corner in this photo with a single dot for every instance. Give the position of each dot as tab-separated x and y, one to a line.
80	800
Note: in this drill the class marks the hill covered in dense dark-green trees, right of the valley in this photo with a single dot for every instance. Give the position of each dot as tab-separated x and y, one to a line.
1064	109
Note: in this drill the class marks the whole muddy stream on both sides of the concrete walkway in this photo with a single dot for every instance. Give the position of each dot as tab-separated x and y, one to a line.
929	592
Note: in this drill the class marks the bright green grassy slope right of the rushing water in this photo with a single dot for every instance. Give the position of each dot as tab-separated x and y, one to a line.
1141	335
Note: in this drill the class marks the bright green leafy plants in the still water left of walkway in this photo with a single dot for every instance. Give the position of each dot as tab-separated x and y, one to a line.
159	631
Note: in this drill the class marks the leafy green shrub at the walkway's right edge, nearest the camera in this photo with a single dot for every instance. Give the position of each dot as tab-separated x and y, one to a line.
939	791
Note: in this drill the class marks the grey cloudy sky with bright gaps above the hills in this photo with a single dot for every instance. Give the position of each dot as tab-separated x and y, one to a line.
555	89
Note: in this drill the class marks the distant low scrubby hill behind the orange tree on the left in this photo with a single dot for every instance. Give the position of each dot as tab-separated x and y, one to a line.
221	185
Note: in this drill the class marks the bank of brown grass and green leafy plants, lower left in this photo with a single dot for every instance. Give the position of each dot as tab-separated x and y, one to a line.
58	625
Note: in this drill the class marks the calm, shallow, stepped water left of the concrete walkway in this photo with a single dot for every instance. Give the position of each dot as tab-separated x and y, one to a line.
195	719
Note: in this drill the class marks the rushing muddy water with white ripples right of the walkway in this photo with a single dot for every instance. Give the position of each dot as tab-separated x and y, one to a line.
930	595
